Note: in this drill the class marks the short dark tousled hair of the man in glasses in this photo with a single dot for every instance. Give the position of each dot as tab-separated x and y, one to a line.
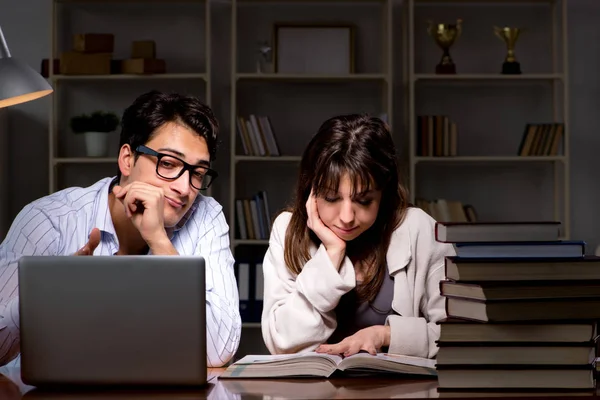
153	109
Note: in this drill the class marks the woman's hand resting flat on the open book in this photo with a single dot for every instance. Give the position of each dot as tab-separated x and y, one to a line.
369	339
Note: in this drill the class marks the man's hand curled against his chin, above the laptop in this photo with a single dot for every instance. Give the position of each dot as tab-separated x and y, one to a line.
144	206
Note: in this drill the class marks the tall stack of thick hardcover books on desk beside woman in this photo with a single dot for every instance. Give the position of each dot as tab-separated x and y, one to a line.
522	307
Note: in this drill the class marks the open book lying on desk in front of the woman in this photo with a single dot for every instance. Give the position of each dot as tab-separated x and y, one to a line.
313	364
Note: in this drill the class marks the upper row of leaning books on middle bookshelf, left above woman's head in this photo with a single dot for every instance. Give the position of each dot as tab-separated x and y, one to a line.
257	136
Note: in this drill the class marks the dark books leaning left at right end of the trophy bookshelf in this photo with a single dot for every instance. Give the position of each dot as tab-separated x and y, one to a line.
542	140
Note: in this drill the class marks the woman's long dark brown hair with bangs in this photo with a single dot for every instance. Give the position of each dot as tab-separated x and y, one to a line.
362	147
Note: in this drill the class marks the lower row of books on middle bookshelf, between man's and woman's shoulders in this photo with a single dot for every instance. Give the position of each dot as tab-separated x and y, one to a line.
253	217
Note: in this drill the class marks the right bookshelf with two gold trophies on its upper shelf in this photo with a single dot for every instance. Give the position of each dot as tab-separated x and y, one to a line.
490	109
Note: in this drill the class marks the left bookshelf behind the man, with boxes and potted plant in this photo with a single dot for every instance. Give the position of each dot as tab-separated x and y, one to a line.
189	72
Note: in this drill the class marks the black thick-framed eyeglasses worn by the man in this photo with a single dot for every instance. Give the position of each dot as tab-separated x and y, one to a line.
170	167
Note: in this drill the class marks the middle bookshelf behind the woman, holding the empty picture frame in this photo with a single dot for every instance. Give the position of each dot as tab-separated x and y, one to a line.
307	99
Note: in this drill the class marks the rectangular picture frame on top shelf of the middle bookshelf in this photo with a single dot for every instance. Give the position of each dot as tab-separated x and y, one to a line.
301	48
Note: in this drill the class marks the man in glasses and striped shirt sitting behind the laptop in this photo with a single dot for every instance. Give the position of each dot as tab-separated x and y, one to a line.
152	206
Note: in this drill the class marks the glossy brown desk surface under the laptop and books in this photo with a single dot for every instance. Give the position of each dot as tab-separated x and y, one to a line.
11	388
